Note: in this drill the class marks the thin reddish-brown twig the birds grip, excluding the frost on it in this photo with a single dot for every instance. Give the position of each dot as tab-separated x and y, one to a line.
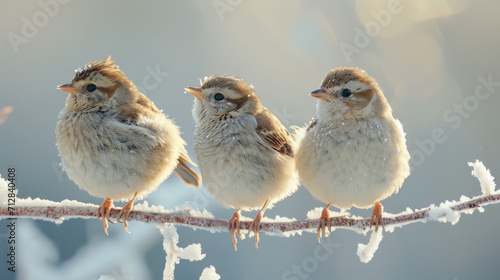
189	218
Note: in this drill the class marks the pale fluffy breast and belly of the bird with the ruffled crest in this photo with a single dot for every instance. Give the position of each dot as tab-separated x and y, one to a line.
112	159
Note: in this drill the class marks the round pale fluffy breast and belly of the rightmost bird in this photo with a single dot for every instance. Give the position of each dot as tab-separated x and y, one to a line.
353	163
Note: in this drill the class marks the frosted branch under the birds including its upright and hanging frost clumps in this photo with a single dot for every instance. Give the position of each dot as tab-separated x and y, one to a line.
448	211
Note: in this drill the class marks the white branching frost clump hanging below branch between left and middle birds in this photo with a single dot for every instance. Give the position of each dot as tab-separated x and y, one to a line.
175	253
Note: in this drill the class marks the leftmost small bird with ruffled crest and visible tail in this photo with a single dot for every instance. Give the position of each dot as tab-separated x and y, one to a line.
114	142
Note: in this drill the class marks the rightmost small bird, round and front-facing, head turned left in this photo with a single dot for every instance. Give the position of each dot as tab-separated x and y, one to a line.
354	152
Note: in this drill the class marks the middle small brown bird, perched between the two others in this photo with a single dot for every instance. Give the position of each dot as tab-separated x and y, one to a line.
246	155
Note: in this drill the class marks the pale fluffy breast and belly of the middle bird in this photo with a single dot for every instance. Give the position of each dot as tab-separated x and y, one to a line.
238	168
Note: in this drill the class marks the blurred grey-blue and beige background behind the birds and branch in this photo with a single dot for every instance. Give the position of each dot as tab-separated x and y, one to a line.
436	61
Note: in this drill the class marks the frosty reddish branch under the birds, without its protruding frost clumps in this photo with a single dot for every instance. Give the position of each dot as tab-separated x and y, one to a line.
58	212
